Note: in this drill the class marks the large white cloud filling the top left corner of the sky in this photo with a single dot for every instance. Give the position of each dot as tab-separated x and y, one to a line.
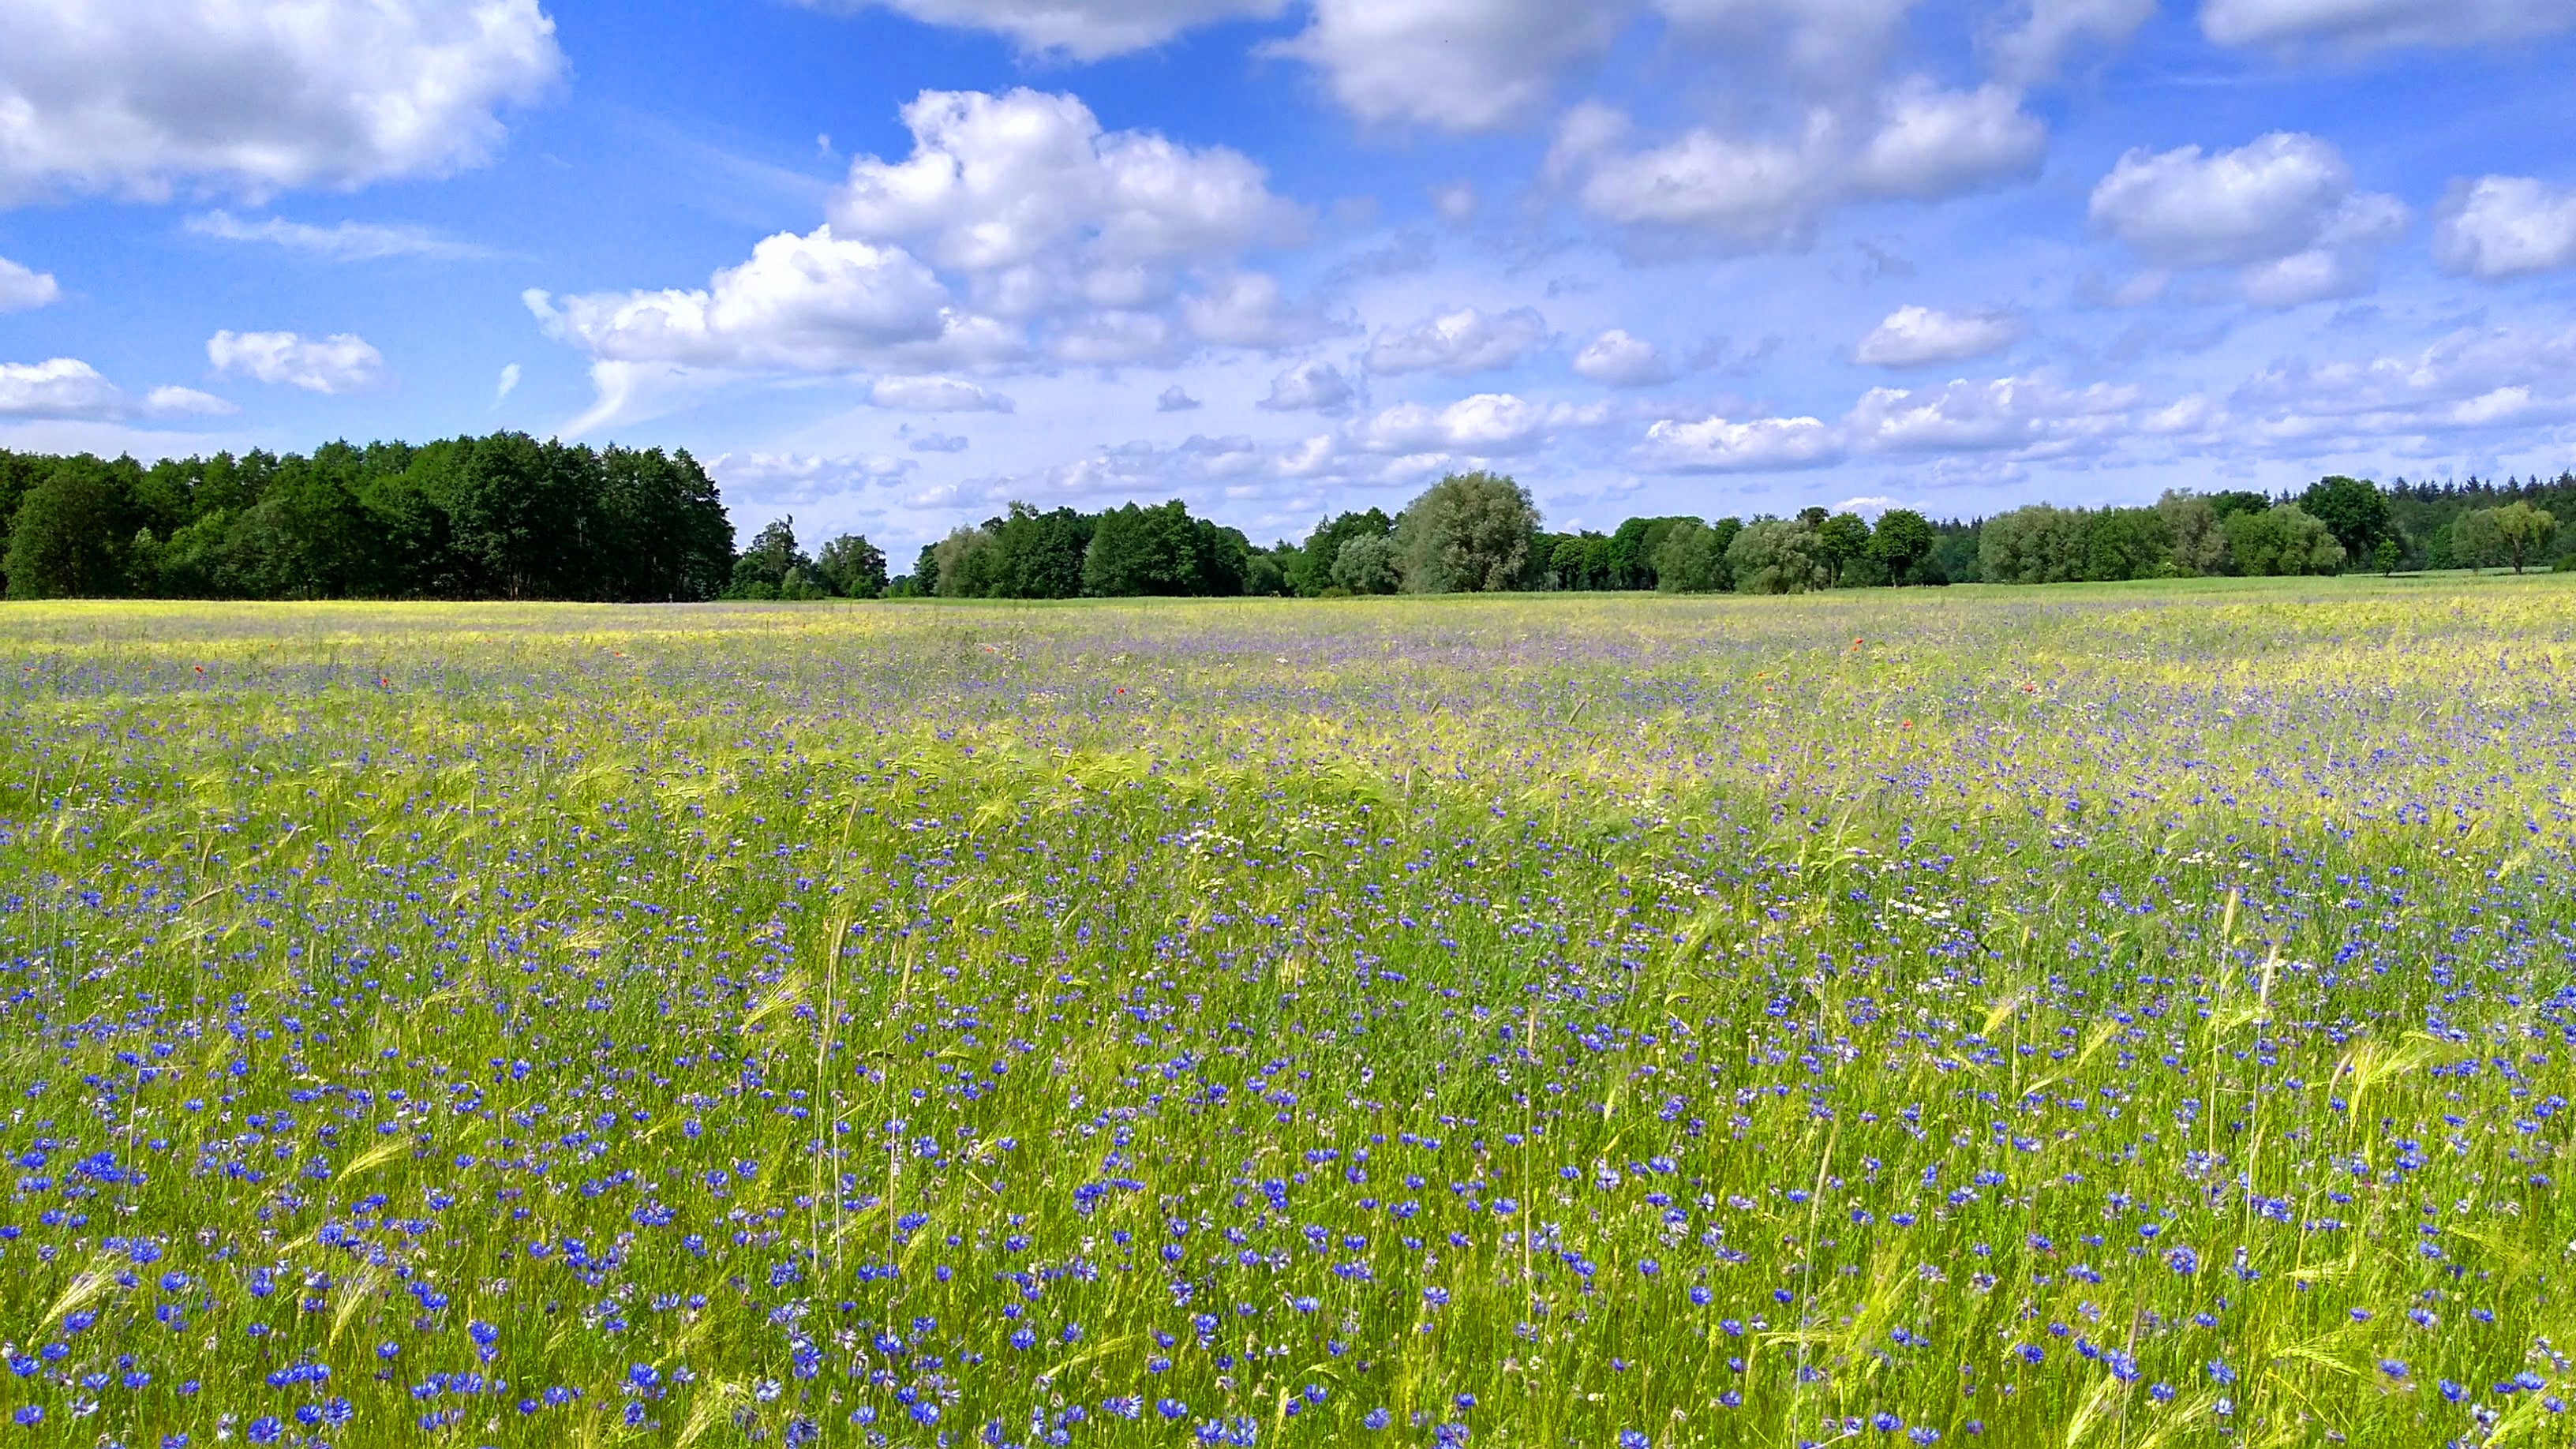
146	97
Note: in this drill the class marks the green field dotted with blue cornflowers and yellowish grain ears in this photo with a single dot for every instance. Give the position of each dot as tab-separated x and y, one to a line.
2052	1017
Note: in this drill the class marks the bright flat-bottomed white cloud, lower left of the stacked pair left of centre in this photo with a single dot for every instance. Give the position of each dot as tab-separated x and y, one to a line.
810	303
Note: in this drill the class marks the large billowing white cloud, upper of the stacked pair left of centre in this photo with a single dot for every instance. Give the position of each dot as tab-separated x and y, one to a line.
1003	182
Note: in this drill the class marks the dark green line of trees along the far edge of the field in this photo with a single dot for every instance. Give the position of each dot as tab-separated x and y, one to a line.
509	517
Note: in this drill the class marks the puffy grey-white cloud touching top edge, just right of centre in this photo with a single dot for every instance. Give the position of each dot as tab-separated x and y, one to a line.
1459	66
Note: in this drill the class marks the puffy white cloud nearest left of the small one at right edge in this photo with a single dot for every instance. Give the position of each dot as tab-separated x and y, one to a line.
2281	208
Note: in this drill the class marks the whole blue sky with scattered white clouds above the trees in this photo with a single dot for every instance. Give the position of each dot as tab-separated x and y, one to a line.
887	264
